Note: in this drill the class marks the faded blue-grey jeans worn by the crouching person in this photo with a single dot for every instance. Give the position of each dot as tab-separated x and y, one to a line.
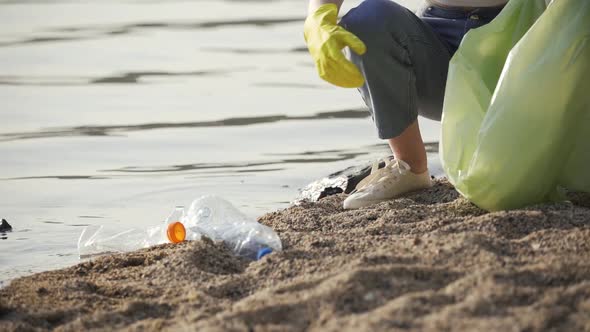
407	59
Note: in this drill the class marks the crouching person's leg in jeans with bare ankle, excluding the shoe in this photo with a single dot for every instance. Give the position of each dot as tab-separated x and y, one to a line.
405	70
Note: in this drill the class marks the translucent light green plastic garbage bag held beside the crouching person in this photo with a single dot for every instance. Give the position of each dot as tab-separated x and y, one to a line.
516	118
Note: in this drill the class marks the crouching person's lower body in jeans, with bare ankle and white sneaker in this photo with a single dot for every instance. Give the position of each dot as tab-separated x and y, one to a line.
405	70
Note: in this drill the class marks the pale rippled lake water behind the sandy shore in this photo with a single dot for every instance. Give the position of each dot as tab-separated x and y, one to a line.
115	112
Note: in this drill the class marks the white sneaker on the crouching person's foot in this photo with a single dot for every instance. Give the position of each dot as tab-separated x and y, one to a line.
386	183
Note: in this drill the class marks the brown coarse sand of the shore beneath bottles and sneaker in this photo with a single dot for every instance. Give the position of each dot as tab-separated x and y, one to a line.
430	261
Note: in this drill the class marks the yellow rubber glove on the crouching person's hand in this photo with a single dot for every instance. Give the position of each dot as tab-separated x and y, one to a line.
325	41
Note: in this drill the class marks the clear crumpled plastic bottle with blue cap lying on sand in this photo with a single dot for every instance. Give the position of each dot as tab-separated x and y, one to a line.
219	220
